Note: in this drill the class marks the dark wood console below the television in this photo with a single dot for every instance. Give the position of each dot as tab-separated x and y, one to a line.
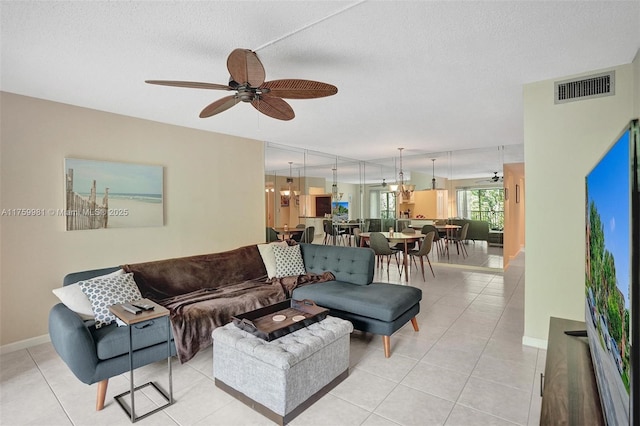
569	393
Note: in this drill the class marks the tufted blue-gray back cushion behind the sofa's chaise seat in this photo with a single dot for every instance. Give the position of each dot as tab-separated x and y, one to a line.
353	265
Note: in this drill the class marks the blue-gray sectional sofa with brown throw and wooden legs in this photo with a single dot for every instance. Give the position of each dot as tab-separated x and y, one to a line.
188	287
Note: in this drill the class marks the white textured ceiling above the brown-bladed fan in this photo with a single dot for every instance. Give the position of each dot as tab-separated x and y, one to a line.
432	77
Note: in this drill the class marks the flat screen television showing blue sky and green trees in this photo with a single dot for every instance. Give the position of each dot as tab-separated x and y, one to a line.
612	285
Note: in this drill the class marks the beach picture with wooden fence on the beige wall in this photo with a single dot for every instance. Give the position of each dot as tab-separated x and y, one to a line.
103	194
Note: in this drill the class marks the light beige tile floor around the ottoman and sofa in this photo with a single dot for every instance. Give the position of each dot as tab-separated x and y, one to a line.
466	366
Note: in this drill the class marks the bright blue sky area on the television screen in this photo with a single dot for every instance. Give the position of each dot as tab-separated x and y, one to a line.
609	187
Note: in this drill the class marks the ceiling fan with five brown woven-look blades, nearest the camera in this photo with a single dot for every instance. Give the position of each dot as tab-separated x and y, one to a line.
247	79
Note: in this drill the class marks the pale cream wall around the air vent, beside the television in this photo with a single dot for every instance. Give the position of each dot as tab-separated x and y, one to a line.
562	143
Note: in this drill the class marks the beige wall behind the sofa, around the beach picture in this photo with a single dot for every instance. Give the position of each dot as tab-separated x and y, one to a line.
213	189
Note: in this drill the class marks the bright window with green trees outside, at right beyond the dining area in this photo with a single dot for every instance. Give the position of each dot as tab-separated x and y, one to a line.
482	204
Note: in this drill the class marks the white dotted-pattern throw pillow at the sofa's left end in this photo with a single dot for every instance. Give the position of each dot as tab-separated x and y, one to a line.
104	292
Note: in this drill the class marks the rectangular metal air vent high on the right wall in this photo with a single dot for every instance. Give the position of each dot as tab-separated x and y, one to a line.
593	86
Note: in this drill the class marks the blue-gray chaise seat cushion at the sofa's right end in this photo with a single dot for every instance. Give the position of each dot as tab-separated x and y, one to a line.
382	301
